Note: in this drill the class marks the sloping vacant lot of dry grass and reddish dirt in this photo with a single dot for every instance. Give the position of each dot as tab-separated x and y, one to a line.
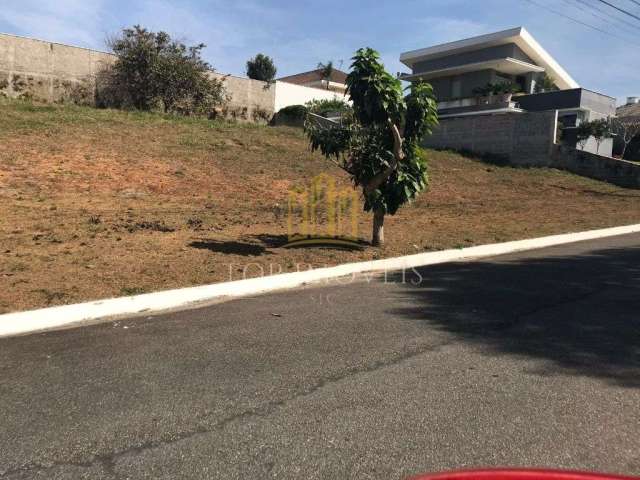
96	204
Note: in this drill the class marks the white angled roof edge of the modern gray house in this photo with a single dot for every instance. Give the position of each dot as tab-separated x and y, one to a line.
519	35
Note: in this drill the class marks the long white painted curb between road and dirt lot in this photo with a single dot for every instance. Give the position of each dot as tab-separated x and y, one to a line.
55	317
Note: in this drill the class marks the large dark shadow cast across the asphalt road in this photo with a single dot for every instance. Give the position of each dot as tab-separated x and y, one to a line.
579	314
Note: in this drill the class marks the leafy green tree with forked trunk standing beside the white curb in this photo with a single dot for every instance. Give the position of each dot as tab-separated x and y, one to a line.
379	146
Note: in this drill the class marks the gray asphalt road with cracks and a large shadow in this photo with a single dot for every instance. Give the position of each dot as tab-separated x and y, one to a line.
523	360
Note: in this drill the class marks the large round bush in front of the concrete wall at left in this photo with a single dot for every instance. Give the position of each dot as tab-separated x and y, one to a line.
153	71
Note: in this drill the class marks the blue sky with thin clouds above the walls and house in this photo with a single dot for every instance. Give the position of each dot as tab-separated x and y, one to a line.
299	34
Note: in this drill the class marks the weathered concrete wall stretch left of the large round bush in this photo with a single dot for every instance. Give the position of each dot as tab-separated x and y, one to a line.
48	71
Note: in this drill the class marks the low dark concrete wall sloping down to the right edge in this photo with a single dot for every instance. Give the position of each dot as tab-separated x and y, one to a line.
619	172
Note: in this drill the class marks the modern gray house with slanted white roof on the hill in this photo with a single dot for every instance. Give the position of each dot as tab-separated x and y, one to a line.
506	72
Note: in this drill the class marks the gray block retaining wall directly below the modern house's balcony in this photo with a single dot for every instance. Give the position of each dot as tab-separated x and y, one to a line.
519	138
